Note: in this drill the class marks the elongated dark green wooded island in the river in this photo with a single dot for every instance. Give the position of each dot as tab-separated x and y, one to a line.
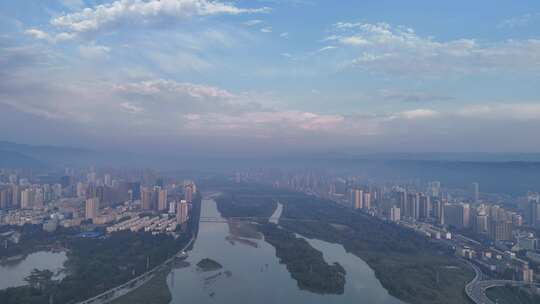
305	263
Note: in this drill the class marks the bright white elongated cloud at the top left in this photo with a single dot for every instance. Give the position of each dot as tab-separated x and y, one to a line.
141	13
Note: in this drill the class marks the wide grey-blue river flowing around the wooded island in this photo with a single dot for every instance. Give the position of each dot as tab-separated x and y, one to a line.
254	275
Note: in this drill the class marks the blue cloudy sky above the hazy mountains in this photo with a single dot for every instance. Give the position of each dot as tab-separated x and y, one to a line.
271	76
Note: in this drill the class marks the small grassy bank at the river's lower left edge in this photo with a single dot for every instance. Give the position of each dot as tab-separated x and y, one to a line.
154	291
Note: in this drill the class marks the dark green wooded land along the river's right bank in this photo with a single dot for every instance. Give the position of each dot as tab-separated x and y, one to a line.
408	265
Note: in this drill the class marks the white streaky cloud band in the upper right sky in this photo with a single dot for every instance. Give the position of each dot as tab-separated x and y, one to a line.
384	48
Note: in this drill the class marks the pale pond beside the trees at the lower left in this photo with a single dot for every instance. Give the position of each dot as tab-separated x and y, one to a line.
13	274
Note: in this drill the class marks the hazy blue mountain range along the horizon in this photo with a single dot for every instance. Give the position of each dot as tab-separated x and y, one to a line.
496	172
